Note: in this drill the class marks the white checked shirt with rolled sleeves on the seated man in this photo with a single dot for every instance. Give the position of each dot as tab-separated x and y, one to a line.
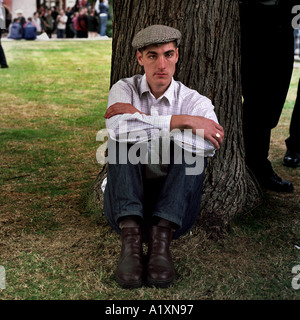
177	99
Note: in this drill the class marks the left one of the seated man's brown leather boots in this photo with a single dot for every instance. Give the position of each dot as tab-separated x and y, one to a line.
129	273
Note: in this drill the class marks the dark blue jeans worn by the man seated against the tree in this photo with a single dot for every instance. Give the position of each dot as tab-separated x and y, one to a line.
175	197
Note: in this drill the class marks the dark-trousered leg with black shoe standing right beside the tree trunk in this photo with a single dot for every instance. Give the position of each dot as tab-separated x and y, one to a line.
267	55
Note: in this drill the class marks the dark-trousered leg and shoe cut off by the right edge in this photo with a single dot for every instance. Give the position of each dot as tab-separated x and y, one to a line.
292	156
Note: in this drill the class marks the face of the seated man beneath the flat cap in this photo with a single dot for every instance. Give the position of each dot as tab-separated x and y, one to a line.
159	63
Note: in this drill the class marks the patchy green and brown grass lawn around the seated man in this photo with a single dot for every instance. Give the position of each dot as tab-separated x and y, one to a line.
52	101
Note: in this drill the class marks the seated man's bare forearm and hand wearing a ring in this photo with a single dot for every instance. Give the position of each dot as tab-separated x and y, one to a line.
212	130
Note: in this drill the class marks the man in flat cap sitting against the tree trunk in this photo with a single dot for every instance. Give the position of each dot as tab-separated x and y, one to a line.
158	201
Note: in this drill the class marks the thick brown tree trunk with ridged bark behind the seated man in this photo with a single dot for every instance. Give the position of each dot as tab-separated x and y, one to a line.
209	62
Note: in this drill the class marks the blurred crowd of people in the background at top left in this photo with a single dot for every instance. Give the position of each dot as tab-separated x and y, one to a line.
83	20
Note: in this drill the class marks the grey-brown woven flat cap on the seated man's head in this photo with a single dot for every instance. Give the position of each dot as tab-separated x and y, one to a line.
156	34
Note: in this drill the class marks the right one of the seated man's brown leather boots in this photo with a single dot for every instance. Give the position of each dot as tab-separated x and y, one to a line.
160	267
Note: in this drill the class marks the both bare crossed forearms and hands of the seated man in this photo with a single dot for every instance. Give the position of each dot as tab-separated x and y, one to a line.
212	130
